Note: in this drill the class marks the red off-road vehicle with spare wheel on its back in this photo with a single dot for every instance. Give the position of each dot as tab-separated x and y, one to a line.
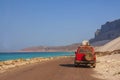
85	55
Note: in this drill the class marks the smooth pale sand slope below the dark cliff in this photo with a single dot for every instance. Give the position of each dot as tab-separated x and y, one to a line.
110	46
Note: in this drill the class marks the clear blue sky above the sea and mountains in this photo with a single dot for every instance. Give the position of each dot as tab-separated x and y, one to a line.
28	23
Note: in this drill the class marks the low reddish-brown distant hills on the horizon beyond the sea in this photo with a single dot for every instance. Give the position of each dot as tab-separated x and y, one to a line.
67	48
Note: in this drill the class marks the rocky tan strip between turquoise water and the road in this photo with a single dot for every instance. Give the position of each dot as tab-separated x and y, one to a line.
11	64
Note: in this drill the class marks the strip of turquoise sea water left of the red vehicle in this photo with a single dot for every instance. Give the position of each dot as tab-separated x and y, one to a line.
27	55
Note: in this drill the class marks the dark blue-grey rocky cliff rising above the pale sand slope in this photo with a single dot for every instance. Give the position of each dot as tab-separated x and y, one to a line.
108	31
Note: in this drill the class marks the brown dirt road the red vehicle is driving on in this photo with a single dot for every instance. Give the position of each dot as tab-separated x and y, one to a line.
58	69
